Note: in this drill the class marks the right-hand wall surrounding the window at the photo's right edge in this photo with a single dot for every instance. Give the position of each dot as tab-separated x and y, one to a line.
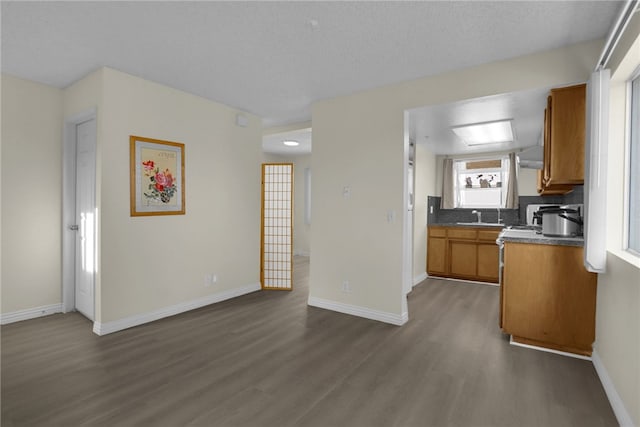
618	305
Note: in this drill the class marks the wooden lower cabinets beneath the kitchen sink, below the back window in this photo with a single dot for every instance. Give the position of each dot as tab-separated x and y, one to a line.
463	253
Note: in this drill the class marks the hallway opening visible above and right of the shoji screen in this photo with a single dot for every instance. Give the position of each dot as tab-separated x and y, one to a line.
292	144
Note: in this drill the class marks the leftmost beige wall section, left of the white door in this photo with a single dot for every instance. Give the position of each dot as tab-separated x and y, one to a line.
31	189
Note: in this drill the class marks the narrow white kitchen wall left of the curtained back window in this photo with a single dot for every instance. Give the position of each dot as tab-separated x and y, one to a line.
425	185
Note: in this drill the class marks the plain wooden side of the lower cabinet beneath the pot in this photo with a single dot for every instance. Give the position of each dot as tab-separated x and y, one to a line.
548	297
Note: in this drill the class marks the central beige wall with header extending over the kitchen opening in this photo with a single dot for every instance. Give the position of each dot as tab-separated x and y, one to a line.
359	142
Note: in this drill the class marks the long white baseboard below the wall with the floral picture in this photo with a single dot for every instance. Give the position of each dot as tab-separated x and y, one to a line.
139	319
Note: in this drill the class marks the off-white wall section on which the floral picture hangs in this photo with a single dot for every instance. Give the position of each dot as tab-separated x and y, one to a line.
148	263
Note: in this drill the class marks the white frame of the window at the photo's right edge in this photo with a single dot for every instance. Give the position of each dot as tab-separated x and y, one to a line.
635	77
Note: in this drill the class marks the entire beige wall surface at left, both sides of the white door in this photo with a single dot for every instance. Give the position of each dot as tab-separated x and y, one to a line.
145	263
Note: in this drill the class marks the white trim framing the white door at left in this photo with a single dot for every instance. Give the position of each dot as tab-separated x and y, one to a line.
69	205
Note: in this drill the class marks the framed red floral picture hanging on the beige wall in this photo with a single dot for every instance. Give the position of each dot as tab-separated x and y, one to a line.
157	177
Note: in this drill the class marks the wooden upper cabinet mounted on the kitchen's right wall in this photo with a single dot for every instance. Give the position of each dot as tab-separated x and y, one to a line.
564	139
